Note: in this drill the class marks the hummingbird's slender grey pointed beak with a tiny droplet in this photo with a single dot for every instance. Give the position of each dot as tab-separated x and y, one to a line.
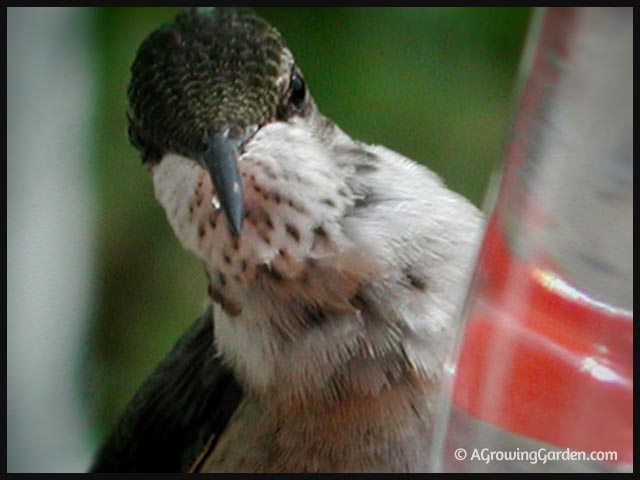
221	160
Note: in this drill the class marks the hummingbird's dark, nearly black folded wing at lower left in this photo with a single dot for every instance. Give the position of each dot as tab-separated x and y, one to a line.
181	408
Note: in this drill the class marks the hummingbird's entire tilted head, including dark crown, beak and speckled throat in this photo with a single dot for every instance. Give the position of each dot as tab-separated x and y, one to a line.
242	161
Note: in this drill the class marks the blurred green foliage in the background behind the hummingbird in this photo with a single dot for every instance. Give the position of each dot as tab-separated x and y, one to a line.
435	84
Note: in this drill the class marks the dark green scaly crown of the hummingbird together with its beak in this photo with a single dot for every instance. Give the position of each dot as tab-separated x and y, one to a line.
202	87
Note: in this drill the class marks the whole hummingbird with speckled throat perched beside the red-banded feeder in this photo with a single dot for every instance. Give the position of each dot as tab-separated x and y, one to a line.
335	268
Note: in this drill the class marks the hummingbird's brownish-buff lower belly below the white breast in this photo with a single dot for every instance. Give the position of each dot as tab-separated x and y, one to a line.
352	438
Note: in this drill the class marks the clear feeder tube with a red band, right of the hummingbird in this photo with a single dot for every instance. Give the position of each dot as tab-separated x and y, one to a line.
542	377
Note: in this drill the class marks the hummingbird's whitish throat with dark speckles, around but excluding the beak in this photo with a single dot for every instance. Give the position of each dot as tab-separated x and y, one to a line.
294	206
